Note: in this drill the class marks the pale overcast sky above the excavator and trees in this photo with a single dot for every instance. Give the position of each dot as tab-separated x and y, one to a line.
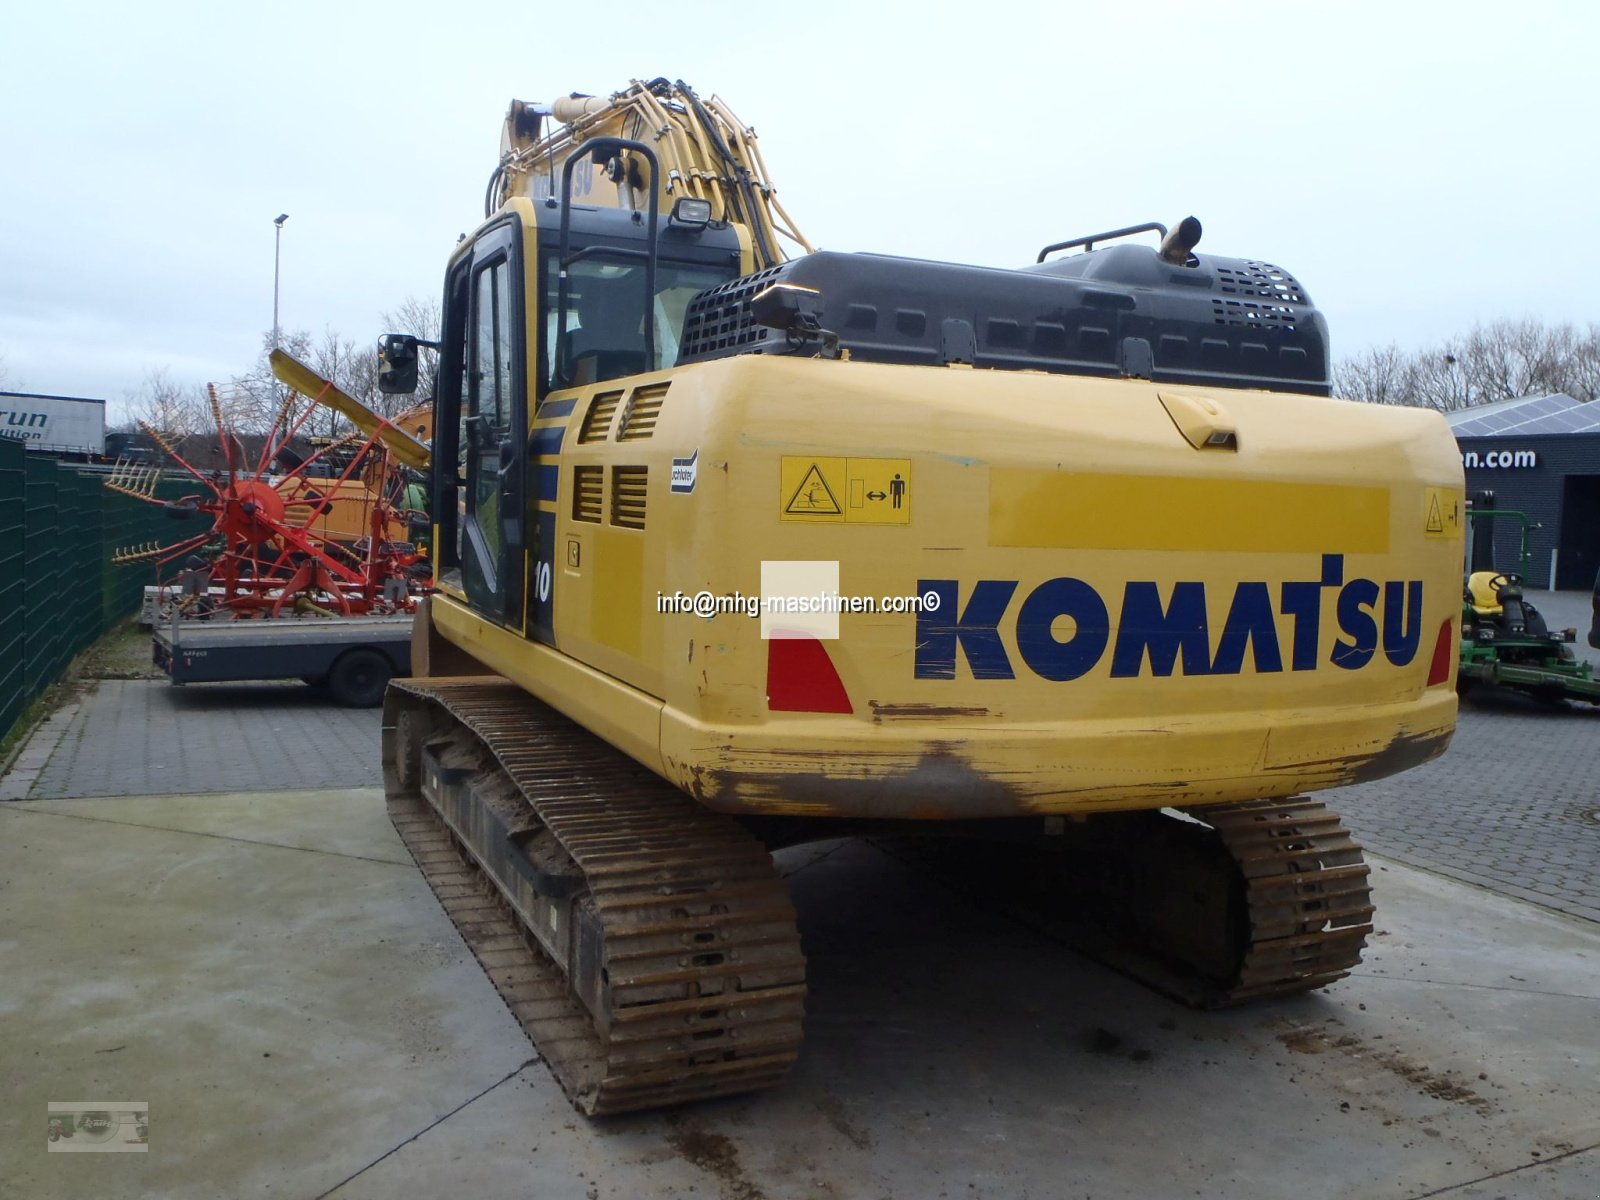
1417	167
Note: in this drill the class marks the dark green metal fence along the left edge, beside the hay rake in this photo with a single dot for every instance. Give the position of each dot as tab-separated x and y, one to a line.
60	590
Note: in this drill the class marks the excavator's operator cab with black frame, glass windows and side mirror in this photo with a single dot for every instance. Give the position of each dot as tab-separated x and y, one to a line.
610	290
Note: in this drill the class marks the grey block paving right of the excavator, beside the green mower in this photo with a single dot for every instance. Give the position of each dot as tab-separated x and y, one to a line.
1513	806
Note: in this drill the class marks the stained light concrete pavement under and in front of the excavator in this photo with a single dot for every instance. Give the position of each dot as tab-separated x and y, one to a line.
274	978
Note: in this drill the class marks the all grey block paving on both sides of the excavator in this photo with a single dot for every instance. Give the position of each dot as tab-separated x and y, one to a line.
1514	804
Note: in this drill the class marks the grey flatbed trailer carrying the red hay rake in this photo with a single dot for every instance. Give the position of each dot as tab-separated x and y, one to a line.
353	657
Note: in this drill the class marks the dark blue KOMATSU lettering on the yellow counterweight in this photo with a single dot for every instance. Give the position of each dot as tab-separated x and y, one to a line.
1065	626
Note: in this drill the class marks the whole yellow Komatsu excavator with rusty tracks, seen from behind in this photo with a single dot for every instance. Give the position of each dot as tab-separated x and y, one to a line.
1116	586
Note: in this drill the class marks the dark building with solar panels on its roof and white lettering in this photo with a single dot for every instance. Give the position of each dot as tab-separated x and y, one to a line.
1538	455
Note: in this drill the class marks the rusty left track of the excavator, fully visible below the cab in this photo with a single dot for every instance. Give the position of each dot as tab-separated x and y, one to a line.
646	945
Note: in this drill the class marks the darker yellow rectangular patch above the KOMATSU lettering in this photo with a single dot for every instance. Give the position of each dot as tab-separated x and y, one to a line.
1146	513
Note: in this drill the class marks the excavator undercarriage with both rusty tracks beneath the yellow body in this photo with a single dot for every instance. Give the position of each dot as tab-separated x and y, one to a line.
649	946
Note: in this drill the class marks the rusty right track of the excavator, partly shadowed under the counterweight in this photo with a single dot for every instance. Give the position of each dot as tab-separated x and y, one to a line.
1236	905
